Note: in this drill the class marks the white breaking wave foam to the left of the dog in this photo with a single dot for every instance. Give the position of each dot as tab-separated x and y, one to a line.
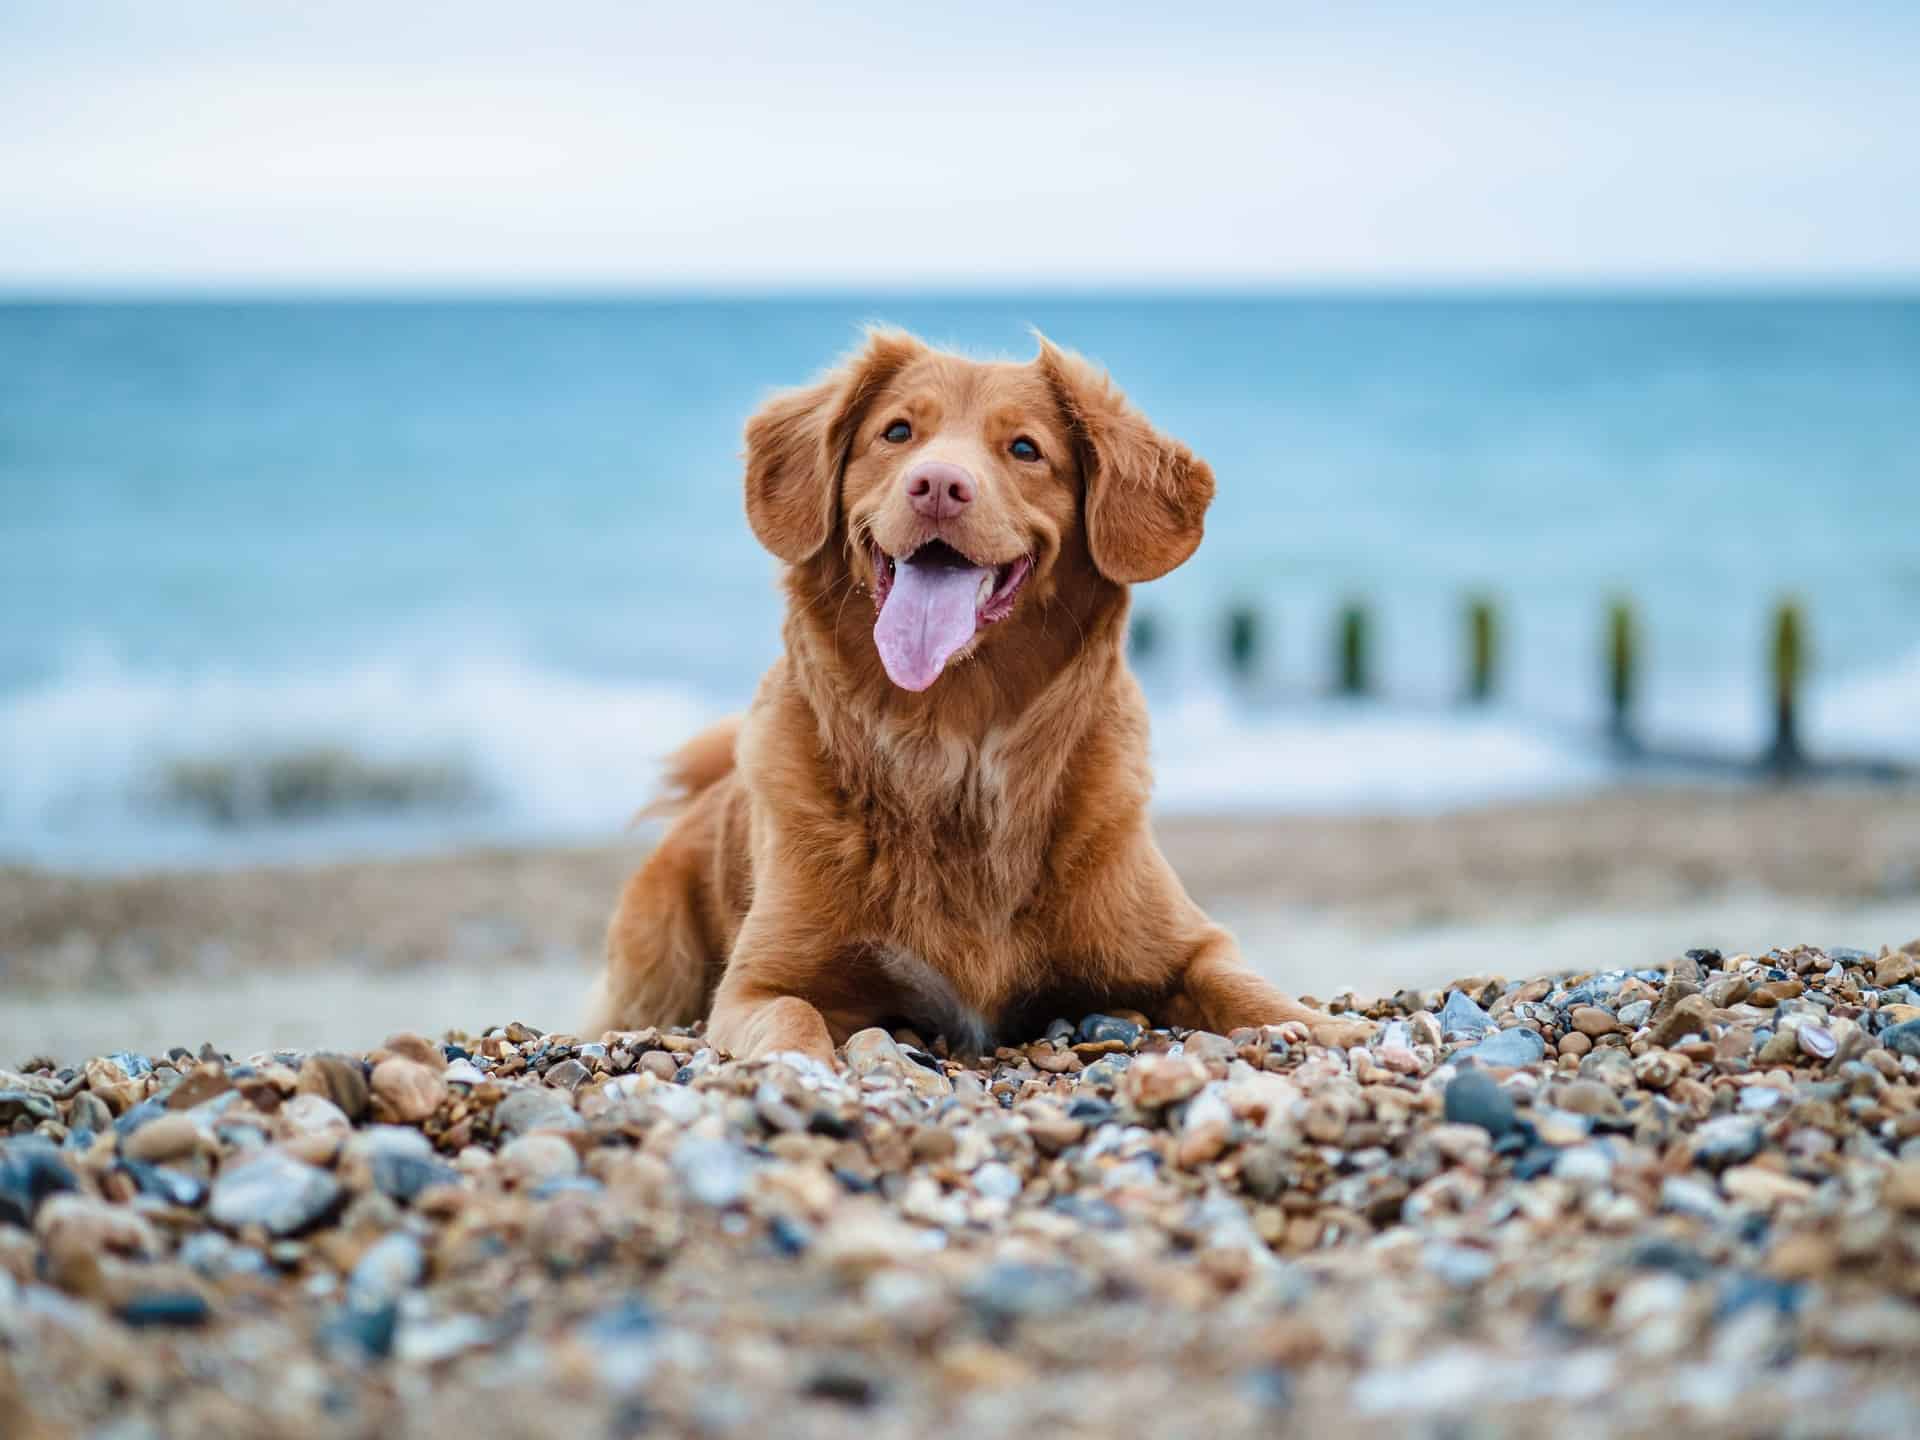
548	756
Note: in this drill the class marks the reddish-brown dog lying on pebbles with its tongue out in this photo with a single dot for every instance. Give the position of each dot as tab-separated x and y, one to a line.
938	815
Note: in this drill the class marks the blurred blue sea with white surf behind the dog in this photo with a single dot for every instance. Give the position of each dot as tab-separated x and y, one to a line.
308	579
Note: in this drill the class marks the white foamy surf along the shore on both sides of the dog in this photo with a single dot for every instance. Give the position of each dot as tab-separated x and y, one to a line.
110	765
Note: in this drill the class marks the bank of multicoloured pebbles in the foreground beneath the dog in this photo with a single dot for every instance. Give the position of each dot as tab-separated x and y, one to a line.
1604	1203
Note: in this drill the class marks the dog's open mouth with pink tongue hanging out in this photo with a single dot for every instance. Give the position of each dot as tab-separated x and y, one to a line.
932	604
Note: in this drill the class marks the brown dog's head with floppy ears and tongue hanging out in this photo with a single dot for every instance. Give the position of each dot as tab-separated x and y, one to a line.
967	494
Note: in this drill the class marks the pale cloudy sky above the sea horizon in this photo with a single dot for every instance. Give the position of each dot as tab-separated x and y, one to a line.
262	145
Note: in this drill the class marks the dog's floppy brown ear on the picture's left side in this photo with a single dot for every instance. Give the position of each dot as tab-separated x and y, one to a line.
798	446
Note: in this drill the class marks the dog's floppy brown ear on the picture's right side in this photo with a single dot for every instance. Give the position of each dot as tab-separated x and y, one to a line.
1147	494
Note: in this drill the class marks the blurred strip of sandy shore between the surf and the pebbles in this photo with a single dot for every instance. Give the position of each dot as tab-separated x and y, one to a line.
348	953
